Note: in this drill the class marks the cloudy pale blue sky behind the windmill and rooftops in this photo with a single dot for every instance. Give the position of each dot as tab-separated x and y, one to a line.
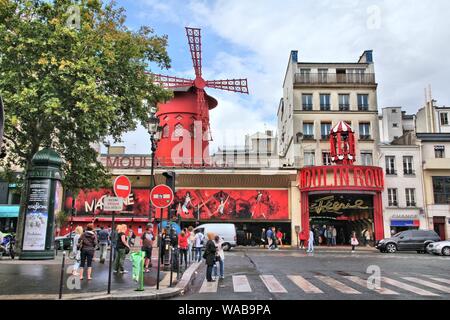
253	39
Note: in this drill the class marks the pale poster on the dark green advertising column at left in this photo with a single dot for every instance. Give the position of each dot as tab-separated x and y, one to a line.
36	215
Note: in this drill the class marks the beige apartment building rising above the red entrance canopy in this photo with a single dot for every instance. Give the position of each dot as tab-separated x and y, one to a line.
316	96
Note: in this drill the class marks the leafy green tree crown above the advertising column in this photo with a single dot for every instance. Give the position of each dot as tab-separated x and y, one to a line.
69	80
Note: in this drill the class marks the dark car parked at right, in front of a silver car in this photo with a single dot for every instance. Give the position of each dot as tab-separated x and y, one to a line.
410	240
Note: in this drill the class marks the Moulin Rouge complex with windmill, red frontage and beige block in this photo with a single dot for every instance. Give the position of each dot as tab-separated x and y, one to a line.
319	172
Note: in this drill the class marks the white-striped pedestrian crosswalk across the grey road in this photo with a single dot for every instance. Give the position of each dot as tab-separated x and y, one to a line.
423	286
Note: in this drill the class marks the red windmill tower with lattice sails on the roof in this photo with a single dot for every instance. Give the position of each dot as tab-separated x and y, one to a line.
185	118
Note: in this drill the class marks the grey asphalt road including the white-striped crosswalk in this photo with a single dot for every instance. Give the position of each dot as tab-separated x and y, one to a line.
294	275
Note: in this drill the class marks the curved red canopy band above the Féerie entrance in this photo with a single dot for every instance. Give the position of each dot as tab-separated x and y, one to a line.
342	178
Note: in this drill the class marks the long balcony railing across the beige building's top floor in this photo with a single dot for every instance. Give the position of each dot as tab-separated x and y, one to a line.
333	78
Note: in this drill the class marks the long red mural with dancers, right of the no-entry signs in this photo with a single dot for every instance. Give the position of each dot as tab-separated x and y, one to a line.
227	204
